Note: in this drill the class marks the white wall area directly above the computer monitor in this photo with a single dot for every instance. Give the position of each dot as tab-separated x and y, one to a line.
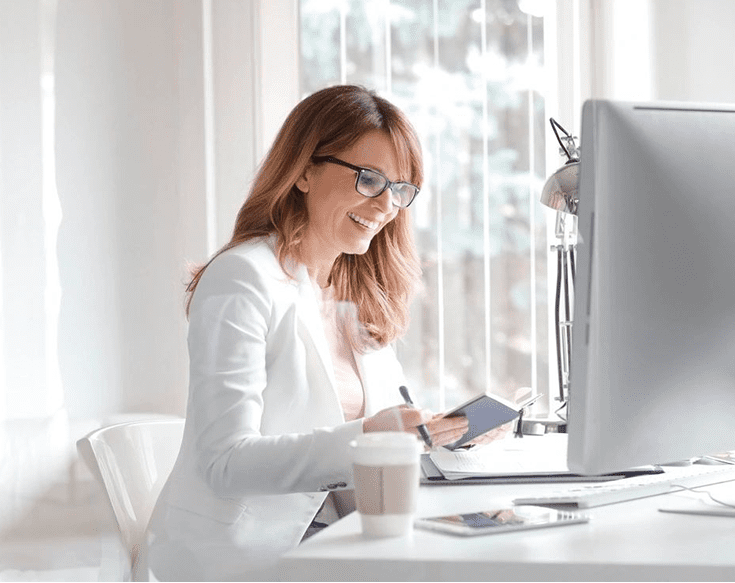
680	50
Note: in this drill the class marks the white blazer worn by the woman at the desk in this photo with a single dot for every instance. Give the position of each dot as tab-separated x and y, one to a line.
265	437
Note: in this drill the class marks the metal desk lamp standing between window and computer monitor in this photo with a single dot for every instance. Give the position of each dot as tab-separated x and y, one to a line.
561	194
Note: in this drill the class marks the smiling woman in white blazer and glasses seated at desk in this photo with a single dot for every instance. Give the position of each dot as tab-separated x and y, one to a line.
289	341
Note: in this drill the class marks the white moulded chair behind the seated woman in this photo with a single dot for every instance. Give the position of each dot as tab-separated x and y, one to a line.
132	461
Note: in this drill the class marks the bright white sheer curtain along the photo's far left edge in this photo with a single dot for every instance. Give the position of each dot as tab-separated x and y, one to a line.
30	213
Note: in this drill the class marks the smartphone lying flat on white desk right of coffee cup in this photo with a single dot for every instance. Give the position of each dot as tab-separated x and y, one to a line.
499	520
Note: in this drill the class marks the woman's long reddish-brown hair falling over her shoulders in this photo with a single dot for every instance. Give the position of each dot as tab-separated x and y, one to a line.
380	282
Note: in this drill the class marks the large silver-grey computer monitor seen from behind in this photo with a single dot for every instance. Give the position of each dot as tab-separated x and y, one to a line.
653	359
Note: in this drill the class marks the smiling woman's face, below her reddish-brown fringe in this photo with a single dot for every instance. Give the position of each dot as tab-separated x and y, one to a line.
341	220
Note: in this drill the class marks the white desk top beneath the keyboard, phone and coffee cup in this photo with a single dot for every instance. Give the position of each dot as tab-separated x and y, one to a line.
623	542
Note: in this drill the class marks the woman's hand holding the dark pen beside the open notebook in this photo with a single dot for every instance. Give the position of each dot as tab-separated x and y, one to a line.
443	430
